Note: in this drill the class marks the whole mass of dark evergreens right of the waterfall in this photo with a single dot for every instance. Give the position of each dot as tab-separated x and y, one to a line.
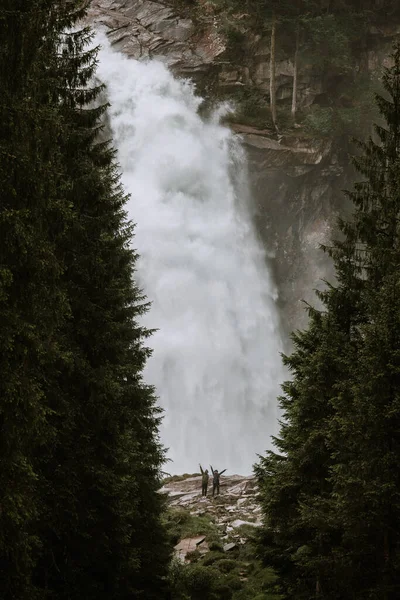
330	494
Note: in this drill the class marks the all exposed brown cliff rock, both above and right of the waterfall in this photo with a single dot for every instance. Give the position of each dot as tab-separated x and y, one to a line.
296	180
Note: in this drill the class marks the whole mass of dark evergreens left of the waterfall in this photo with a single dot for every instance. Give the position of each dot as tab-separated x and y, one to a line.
80	456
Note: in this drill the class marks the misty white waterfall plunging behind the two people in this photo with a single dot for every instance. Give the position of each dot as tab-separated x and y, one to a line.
216	363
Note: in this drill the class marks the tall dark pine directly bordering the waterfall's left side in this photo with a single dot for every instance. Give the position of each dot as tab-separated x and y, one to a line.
102	537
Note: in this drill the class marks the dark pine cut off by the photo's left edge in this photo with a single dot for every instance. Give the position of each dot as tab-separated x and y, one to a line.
33	305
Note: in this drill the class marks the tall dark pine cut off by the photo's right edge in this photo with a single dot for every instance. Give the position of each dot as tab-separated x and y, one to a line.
366	478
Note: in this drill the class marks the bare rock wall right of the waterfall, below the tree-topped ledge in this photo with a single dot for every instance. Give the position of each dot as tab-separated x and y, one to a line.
296	185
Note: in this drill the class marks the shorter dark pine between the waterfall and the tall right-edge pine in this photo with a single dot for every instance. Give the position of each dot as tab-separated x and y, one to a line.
300	528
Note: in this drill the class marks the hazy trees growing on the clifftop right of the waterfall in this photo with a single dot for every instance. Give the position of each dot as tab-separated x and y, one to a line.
326	40
